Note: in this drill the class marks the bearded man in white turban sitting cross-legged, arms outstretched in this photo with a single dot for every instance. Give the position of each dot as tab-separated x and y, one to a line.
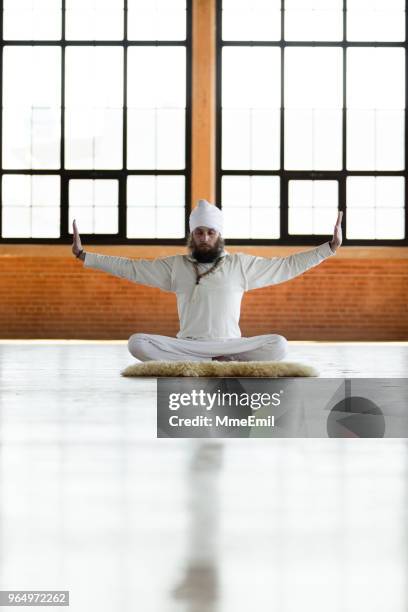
209	283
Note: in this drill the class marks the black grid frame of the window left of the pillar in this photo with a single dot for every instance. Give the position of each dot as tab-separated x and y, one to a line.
120	175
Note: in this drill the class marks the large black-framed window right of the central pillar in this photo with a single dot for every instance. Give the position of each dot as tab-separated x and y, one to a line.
311	119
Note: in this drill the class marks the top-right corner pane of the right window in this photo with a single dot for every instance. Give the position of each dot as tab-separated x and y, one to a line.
376	20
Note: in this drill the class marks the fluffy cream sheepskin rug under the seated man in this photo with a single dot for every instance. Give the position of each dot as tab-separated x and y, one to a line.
225	369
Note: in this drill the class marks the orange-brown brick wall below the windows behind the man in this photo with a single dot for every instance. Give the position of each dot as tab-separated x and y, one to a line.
360	294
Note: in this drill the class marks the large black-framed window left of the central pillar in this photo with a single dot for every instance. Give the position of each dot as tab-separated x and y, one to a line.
95	120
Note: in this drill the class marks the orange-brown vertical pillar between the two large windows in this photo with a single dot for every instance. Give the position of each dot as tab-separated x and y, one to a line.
203	100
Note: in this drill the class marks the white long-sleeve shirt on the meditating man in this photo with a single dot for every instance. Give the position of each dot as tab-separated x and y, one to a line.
211	309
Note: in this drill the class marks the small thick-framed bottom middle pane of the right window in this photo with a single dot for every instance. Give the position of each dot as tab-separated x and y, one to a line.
312	206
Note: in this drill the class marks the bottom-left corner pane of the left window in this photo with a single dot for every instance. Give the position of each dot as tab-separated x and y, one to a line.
30	206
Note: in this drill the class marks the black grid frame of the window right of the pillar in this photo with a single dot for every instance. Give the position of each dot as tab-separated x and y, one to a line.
287	175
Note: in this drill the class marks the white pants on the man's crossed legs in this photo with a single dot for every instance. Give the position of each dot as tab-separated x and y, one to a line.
154	347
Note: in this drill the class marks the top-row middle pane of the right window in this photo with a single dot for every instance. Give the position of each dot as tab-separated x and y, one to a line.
313	19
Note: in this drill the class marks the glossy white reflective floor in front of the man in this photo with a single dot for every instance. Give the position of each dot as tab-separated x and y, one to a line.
92	502
